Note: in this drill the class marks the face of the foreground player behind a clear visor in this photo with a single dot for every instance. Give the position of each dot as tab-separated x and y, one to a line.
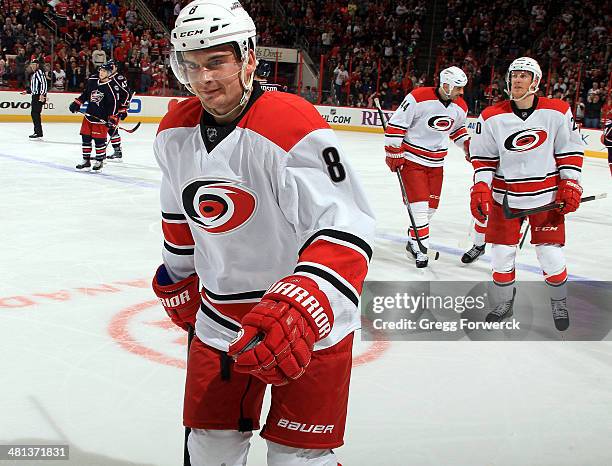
214	75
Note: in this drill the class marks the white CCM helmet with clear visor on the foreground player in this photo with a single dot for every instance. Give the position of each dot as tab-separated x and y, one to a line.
209	23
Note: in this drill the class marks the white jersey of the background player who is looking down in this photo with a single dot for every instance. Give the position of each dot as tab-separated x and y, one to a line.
422	124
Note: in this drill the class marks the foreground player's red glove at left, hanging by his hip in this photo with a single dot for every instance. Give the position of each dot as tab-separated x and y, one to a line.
180	300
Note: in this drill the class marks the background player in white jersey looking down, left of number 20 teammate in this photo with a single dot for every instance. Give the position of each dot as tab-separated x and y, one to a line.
416	143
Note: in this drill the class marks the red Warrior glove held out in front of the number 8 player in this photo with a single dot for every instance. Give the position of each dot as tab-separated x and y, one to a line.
278	334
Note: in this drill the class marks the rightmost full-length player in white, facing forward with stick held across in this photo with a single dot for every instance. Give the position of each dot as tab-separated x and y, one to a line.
529	147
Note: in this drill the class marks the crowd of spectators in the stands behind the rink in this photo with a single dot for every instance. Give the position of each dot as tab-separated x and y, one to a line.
369	48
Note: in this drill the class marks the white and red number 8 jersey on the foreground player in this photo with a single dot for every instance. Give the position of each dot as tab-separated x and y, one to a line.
247	204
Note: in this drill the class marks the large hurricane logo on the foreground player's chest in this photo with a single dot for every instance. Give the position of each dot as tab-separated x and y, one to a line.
217	205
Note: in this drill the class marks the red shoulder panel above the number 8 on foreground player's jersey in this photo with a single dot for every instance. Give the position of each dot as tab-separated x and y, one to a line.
282	118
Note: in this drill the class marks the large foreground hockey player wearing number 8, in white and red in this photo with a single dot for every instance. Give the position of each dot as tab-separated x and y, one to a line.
266	247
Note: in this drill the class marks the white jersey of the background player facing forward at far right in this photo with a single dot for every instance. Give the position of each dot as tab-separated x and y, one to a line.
526	152
